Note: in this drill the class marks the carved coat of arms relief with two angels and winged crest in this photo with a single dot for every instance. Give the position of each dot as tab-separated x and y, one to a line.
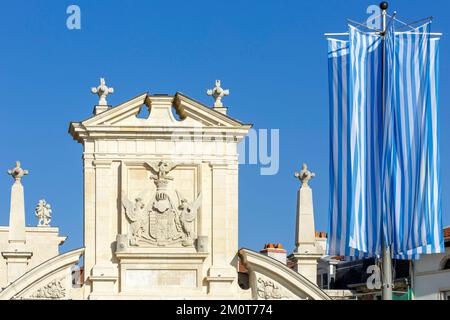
162	221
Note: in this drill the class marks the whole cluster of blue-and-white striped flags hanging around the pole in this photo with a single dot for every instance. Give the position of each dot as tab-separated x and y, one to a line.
384	163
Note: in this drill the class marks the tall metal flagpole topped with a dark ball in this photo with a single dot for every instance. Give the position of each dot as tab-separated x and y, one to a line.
386	260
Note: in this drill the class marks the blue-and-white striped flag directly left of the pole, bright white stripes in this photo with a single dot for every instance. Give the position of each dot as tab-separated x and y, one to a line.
366	140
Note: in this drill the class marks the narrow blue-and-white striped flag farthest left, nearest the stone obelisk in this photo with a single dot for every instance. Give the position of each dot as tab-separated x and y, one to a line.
340	188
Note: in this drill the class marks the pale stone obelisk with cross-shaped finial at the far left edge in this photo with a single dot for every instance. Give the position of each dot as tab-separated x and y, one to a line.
17	256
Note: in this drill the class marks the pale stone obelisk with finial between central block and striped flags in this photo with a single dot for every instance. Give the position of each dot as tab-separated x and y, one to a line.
306	253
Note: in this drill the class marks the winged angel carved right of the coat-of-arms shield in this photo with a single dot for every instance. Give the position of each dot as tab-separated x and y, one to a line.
188	214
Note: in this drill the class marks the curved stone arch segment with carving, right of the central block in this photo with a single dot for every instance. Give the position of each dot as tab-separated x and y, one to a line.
272	280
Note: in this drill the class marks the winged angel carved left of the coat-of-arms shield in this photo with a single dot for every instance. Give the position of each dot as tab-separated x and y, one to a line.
138	214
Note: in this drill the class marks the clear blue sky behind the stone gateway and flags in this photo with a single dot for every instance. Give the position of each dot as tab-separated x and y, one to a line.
270	54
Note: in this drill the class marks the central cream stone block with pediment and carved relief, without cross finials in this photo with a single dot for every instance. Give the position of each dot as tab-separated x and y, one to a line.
155	189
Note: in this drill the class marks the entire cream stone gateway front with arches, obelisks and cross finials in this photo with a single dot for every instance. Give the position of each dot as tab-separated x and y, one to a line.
160	211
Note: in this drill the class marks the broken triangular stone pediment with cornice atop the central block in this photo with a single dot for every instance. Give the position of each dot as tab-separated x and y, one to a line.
167	115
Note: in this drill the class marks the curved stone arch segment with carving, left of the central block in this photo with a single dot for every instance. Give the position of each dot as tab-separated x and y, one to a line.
49	280
